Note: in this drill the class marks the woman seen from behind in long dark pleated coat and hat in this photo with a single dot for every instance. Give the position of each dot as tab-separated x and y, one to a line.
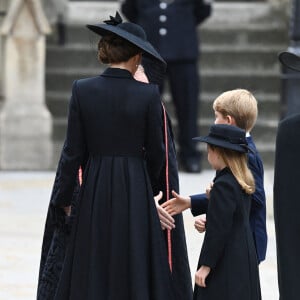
116	248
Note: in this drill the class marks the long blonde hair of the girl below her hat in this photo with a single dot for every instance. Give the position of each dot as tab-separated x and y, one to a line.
237	163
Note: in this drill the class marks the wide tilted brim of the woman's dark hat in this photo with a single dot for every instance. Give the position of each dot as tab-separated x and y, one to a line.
145	46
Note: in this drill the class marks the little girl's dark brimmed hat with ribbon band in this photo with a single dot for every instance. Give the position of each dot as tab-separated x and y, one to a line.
226	136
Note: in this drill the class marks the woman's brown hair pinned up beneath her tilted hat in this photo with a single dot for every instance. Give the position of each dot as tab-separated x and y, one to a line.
114	49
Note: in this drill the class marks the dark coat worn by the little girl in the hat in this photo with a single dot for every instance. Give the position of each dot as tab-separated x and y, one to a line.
228	246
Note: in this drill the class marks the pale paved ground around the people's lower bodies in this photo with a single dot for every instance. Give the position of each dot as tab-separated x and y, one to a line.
23	203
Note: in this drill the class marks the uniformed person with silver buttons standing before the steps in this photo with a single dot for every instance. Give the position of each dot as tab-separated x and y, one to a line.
171	26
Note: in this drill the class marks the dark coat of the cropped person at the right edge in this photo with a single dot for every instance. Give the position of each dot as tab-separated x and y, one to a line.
287	207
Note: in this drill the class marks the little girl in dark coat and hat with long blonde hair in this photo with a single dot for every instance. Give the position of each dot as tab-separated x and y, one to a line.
227	267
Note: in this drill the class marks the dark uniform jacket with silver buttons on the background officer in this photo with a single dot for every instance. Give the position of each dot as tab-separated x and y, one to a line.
171	28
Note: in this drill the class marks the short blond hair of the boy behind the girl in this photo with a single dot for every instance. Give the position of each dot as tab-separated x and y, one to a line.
239	104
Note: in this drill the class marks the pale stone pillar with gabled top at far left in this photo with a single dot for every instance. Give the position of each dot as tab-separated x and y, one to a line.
25	122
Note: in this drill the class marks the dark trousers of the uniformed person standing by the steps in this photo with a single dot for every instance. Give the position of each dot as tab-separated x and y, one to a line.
184	85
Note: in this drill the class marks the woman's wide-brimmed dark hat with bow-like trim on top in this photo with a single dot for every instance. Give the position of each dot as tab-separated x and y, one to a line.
131	32
